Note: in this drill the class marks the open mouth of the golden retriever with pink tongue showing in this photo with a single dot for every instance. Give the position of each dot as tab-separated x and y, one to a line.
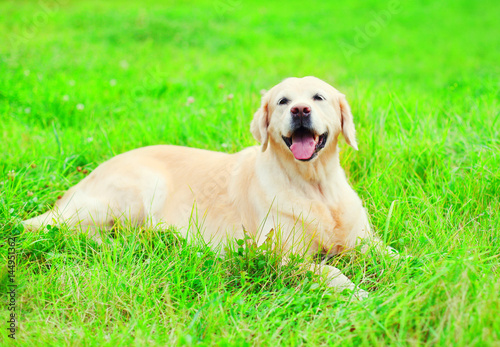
305	144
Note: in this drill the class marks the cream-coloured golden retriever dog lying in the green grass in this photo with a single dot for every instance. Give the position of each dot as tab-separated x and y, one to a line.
292	183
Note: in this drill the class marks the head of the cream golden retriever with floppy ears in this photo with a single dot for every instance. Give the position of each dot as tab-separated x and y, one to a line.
303	116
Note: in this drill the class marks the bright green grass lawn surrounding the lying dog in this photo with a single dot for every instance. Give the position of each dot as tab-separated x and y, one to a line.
424	89
